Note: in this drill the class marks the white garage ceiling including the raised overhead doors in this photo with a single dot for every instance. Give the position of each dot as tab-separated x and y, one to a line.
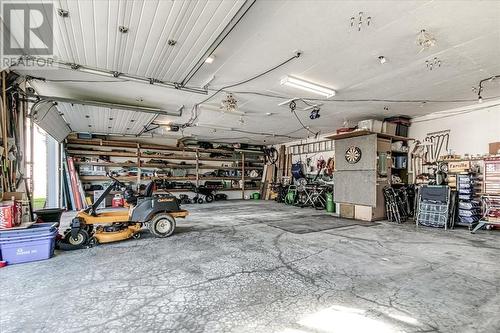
334	55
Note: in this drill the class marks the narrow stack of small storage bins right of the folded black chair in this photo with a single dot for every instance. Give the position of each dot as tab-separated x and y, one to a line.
469	210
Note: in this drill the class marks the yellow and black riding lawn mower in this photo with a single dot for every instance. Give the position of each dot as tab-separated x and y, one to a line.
156	211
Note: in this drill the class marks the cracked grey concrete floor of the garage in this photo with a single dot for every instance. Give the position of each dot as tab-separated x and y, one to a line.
226	270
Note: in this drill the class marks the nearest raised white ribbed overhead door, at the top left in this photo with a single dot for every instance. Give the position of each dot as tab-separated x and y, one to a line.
90	36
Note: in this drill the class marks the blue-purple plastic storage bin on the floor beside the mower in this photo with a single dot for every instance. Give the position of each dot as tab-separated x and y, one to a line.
32	244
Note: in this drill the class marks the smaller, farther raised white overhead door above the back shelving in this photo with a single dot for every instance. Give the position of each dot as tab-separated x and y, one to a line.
86	118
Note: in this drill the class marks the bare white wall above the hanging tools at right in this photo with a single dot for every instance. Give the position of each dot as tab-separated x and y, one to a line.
471	128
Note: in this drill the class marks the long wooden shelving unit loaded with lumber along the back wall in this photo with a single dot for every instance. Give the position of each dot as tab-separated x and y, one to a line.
195	161
